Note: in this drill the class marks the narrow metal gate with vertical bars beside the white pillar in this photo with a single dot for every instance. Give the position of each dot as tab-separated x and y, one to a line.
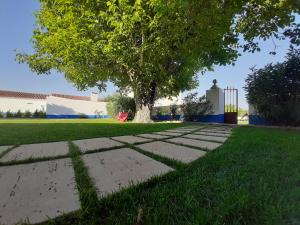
230	105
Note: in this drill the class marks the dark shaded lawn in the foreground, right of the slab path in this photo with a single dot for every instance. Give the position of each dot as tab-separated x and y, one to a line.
254	178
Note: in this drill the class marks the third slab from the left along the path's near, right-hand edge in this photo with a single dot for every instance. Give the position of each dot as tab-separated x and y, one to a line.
172	151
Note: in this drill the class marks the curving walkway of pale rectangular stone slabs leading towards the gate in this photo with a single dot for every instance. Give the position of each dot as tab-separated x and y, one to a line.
38	180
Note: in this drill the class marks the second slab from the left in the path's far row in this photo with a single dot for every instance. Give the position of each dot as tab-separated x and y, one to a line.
96	144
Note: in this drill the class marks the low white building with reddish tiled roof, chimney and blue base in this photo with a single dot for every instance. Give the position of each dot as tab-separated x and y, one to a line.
55	105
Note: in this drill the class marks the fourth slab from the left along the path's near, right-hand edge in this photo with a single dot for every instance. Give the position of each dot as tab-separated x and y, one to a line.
195	143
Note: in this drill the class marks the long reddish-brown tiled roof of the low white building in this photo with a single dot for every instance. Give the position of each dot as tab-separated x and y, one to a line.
37	96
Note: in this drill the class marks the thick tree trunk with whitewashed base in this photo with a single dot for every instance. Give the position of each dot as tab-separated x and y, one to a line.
144	99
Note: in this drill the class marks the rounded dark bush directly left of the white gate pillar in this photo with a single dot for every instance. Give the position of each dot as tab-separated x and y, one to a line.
194	106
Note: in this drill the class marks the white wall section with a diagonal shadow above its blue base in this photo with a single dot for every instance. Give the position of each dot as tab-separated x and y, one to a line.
64	106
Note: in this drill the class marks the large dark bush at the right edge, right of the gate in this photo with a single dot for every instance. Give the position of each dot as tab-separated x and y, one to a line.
274	91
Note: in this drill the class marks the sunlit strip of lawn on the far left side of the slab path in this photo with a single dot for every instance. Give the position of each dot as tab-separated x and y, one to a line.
26	131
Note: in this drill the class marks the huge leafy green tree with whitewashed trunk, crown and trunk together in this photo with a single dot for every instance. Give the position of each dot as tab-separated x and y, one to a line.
153	48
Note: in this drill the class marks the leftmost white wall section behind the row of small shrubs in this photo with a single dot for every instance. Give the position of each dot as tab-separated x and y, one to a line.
23	104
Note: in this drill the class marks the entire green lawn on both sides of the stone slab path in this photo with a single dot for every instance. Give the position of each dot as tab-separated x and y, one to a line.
254	178
